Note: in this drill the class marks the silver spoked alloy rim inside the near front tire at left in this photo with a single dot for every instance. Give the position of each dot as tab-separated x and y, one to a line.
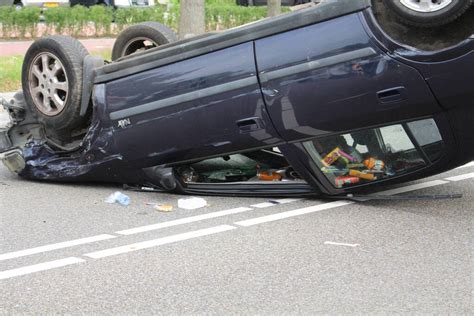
48	84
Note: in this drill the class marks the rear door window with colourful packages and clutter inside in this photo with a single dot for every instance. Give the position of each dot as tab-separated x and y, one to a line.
365	156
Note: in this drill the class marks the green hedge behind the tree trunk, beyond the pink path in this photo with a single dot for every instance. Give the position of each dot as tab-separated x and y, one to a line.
96	21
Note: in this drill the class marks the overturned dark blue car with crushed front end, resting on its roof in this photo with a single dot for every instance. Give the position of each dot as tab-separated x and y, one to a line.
317	101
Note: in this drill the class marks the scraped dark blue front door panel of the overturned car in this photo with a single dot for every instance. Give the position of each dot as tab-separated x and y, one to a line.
196	108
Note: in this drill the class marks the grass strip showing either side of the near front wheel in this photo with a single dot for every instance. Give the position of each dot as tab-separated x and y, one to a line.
10	70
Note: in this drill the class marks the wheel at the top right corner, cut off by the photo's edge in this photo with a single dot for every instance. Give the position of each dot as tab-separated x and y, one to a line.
434	14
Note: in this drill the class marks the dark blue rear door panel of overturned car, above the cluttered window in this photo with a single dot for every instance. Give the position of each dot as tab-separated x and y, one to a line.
329	77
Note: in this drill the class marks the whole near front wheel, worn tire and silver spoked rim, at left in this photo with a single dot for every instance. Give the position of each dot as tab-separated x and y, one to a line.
52	83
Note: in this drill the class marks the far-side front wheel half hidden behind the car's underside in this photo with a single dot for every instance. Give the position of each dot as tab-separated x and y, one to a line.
135	38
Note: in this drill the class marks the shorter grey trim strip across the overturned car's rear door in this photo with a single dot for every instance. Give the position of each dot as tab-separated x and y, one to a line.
317	64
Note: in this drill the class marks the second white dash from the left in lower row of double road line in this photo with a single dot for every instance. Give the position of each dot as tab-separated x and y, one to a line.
159	241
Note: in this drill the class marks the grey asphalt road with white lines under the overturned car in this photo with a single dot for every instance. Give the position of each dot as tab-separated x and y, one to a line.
297	257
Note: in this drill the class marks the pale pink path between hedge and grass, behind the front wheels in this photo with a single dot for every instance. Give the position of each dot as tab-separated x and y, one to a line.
9	48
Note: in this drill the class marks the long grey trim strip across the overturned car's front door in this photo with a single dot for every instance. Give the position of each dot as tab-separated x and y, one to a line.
186	97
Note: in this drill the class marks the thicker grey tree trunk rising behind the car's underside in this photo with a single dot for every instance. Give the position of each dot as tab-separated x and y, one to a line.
191	18
